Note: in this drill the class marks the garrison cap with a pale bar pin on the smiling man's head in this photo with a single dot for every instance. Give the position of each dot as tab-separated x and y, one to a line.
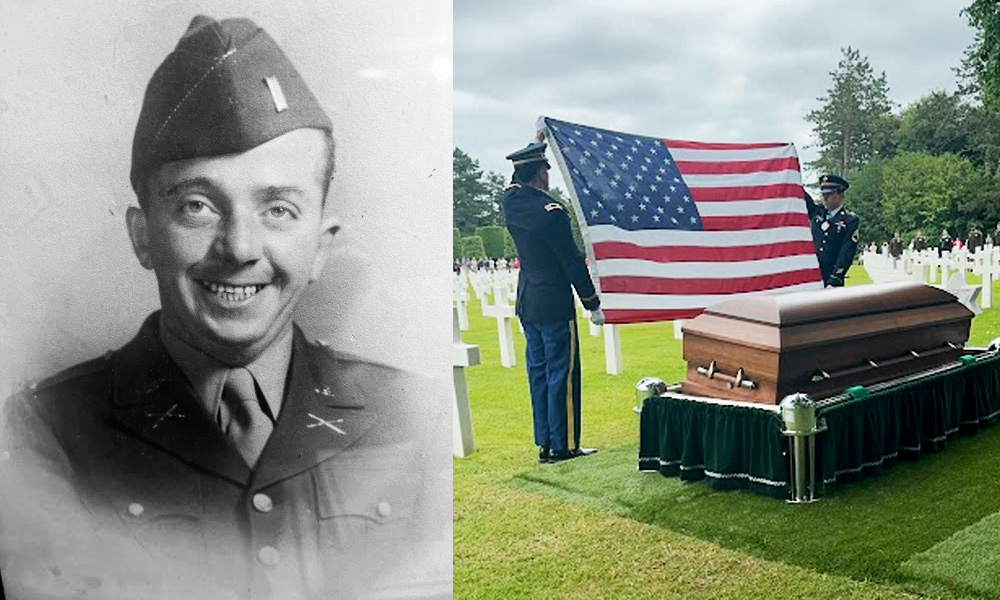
227	87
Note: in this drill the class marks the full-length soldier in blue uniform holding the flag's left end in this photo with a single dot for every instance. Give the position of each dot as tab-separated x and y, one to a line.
550	264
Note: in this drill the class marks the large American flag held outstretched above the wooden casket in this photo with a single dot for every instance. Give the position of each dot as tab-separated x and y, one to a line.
673	227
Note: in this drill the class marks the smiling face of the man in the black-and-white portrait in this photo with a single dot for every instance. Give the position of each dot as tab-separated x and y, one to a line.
234	241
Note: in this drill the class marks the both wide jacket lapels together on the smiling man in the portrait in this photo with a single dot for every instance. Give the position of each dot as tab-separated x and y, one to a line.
322	414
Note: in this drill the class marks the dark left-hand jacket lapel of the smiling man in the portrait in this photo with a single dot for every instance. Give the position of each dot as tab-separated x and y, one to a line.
153	400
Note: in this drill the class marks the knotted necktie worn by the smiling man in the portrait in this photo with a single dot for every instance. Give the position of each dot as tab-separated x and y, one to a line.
247	426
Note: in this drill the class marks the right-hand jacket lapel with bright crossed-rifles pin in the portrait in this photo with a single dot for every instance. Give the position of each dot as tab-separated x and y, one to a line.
323	413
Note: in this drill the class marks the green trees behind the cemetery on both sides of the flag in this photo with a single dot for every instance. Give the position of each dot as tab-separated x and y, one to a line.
931	165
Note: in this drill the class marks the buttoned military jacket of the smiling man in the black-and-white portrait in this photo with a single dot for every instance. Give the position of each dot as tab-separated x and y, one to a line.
119	484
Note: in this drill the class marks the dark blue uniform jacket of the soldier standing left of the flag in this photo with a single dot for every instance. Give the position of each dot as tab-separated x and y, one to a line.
550	261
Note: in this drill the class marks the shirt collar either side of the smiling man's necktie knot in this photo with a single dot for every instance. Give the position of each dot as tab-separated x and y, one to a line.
207	375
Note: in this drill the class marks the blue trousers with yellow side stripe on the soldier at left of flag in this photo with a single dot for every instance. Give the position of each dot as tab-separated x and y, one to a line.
553	359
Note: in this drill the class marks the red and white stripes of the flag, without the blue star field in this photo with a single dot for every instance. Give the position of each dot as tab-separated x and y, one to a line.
755	238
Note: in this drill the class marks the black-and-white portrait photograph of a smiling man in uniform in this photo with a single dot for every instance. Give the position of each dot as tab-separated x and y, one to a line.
222	345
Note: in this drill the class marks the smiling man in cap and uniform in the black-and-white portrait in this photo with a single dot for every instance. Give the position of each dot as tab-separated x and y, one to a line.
220	454
